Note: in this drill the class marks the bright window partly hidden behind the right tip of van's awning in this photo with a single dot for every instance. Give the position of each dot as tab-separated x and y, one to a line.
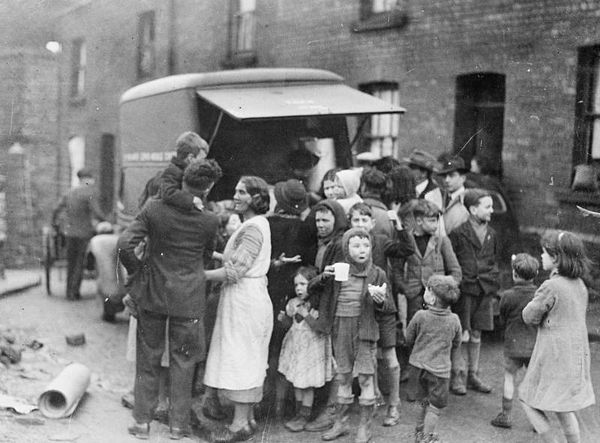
382	133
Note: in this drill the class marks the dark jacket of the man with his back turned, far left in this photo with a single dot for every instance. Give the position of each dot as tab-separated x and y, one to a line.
81	206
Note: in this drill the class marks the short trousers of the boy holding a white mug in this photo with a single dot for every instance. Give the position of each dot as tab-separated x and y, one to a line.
352	355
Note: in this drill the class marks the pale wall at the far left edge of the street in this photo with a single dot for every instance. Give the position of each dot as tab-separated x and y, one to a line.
28	121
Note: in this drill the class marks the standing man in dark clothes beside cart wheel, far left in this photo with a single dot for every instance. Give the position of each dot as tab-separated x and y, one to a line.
82	214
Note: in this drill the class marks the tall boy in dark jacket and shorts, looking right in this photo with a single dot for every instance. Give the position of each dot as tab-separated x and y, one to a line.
476	247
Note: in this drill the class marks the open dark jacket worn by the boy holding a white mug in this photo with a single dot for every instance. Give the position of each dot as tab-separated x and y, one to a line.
327	290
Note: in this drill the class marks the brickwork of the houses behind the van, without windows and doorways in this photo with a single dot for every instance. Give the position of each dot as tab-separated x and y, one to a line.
533	43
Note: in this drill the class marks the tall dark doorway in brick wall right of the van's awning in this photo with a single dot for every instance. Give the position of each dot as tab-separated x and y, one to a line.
479	119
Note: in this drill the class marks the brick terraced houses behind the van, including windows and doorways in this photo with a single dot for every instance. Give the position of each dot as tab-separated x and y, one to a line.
511	81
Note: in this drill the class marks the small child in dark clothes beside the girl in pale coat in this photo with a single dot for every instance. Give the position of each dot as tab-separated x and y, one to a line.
519	338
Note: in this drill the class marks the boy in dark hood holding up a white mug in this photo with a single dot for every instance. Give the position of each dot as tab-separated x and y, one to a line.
347	311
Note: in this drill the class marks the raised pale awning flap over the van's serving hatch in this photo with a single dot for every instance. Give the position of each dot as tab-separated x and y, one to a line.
257	103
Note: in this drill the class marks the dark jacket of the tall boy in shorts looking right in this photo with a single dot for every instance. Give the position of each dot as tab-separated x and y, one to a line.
479	262
